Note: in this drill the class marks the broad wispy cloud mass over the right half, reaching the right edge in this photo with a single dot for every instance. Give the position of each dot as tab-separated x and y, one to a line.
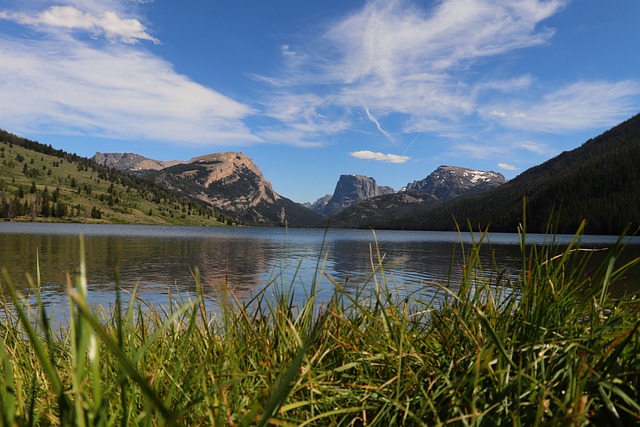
418	64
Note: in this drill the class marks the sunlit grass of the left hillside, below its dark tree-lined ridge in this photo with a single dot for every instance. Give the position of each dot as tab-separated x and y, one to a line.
82	187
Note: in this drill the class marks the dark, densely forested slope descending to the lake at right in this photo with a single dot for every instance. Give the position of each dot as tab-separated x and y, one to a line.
599	182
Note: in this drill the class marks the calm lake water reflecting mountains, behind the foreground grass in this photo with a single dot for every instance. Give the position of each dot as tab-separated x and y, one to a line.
161	260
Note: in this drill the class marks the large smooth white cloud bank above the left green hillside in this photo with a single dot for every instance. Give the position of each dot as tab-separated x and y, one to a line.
120	91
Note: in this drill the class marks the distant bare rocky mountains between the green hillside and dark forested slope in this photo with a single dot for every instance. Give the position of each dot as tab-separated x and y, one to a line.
230	182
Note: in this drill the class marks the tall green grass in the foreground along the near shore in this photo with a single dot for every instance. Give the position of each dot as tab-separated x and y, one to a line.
550	348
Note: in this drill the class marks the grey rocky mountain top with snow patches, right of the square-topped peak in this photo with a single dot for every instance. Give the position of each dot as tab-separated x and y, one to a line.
448	182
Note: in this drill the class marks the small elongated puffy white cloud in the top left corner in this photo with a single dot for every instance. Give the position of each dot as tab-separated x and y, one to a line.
107	23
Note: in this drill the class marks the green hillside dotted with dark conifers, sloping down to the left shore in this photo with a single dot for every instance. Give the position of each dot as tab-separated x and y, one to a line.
40	183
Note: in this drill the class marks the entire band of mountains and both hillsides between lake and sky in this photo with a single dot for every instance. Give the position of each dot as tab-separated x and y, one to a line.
597	181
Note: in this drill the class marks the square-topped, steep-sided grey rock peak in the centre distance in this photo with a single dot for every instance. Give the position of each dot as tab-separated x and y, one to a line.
352	189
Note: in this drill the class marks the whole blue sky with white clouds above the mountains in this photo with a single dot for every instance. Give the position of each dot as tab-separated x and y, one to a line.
311	90
